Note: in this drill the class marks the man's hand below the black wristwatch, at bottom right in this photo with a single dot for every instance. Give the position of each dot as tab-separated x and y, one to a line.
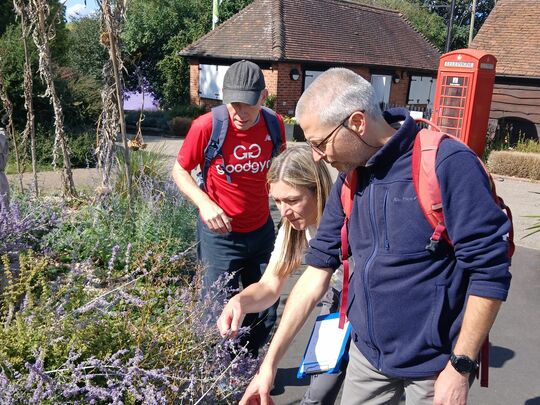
451	387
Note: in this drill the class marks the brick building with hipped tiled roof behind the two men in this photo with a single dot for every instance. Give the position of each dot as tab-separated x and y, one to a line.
294	41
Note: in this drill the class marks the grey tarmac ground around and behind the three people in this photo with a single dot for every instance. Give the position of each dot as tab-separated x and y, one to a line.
515	337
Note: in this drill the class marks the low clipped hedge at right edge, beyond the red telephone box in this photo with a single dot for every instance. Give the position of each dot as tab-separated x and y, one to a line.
517	164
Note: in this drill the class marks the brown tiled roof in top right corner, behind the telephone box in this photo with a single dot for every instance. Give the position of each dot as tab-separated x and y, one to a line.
512	33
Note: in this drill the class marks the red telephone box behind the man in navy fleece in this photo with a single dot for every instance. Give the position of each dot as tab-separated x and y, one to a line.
463	95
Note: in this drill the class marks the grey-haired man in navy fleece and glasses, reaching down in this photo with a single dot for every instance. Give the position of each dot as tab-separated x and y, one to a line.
418	318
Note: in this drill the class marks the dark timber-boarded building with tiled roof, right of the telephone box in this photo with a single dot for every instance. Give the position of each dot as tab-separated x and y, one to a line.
512	34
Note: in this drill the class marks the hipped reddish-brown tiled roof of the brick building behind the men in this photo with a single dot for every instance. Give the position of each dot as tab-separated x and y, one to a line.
332	31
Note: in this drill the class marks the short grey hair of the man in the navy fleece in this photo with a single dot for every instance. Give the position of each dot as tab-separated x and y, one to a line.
335	95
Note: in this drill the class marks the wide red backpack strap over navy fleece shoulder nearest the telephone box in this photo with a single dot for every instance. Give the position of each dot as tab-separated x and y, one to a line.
426	183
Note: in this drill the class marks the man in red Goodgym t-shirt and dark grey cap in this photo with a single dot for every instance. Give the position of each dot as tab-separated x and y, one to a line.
235	231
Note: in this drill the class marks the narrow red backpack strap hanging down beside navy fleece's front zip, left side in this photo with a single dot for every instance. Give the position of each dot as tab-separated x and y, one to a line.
348	189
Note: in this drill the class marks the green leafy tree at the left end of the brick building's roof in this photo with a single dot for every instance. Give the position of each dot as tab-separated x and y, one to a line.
157	30
